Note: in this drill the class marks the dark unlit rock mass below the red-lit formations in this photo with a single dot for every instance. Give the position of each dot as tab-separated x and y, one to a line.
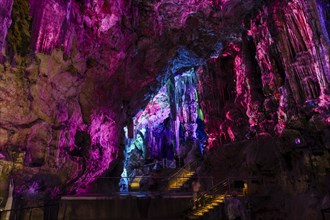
286	179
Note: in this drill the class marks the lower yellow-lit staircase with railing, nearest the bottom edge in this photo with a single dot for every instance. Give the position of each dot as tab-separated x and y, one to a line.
213	199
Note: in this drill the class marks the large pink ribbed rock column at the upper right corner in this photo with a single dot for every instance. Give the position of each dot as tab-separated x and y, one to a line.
306	68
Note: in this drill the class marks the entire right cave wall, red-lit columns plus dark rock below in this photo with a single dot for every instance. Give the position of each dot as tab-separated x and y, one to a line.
278	116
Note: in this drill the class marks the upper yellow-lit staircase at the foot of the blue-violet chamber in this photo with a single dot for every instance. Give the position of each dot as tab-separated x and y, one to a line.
182	176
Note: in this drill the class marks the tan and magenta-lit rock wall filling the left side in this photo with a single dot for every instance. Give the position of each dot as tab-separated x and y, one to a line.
54	137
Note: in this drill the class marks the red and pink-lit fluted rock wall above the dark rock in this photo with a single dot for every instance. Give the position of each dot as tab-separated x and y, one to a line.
277	74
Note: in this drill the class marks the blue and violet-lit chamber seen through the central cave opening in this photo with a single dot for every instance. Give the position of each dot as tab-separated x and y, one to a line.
169	132
